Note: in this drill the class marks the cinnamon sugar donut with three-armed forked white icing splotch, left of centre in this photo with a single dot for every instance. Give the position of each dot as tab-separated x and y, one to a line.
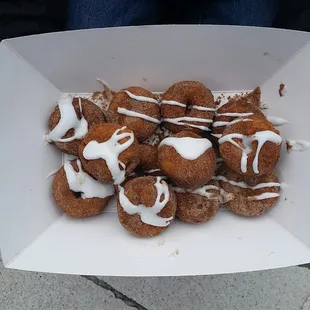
109	153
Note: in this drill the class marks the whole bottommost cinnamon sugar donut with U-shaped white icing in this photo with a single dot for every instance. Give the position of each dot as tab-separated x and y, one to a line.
146	206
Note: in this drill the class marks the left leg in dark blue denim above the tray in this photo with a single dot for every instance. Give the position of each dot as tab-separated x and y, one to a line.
111	13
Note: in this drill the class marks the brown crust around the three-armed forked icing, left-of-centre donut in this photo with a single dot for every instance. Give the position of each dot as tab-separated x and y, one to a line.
98	167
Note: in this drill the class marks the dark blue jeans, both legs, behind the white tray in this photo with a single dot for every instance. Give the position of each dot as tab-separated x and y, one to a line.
110	13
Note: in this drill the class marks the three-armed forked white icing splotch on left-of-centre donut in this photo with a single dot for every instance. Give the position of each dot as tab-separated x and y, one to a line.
109	151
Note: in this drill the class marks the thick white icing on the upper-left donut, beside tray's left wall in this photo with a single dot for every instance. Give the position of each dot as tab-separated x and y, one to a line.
69	120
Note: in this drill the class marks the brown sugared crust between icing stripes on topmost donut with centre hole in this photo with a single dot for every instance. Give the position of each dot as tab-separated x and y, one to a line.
189	93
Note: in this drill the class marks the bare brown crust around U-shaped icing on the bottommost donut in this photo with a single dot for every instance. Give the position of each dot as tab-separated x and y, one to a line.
142	191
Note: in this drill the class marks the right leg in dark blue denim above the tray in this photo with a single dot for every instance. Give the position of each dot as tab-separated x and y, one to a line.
232	12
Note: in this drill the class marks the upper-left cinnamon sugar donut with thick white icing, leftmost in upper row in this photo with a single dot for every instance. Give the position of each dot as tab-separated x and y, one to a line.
70	121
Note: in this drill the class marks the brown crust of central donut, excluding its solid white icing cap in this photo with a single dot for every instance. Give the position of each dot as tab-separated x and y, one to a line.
183	172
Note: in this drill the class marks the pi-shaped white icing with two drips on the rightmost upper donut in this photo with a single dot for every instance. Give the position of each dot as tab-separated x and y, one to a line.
261	137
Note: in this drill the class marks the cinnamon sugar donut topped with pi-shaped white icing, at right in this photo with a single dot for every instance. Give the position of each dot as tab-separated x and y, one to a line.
251	146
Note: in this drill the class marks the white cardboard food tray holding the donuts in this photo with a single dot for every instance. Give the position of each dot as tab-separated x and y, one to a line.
36	70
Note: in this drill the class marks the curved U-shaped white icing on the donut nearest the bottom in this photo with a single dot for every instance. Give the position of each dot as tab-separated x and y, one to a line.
148	215
